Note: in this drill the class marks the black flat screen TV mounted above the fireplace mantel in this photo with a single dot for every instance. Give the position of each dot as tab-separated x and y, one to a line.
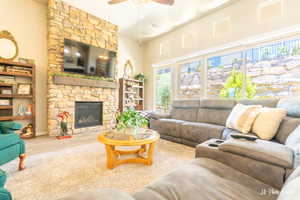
85	59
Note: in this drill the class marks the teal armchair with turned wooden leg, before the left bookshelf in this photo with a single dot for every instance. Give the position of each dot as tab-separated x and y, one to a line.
11	145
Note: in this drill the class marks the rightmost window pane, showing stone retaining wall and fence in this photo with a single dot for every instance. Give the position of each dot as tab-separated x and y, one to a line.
275	69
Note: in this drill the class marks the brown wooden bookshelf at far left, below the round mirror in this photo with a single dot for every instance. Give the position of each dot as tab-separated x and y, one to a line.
17	94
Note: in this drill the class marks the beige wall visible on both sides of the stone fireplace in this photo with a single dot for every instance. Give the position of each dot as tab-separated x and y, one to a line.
27	21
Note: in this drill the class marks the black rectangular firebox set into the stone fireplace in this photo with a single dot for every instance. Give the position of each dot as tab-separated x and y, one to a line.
88	114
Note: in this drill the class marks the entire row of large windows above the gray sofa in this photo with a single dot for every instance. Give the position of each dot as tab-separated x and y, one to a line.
263	71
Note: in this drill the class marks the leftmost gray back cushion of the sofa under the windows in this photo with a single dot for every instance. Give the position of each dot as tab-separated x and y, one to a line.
186	110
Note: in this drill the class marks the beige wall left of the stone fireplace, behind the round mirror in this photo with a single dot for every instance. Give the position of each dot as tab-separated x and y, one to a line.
27	21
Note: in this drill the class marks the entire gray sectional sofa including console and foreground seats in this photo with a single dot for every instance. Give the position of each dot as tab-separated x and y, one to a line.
235	170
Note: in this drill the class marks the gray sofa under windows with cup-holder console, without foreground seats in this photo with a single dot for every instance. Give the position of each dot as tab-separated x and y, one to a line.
199	123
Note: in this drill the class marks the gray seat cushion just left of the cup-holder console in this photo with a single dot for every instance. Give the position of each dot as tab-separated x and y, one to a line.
200	132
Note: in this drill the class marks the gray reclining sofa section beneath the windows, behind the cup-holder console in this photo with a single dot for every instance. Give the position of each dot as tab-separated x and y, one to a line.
192	122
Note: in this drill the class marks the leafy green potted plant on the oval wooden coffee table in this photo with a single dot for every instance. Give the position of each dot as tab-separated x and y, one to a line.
130	120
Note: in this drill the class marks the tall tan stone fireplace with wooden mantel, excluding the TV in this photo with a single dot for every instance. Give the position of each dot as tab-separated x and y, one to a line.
75	95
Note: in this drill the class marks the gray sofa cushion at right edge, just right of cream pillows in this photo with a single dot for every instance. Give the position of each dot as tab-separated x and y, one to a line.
288	125
